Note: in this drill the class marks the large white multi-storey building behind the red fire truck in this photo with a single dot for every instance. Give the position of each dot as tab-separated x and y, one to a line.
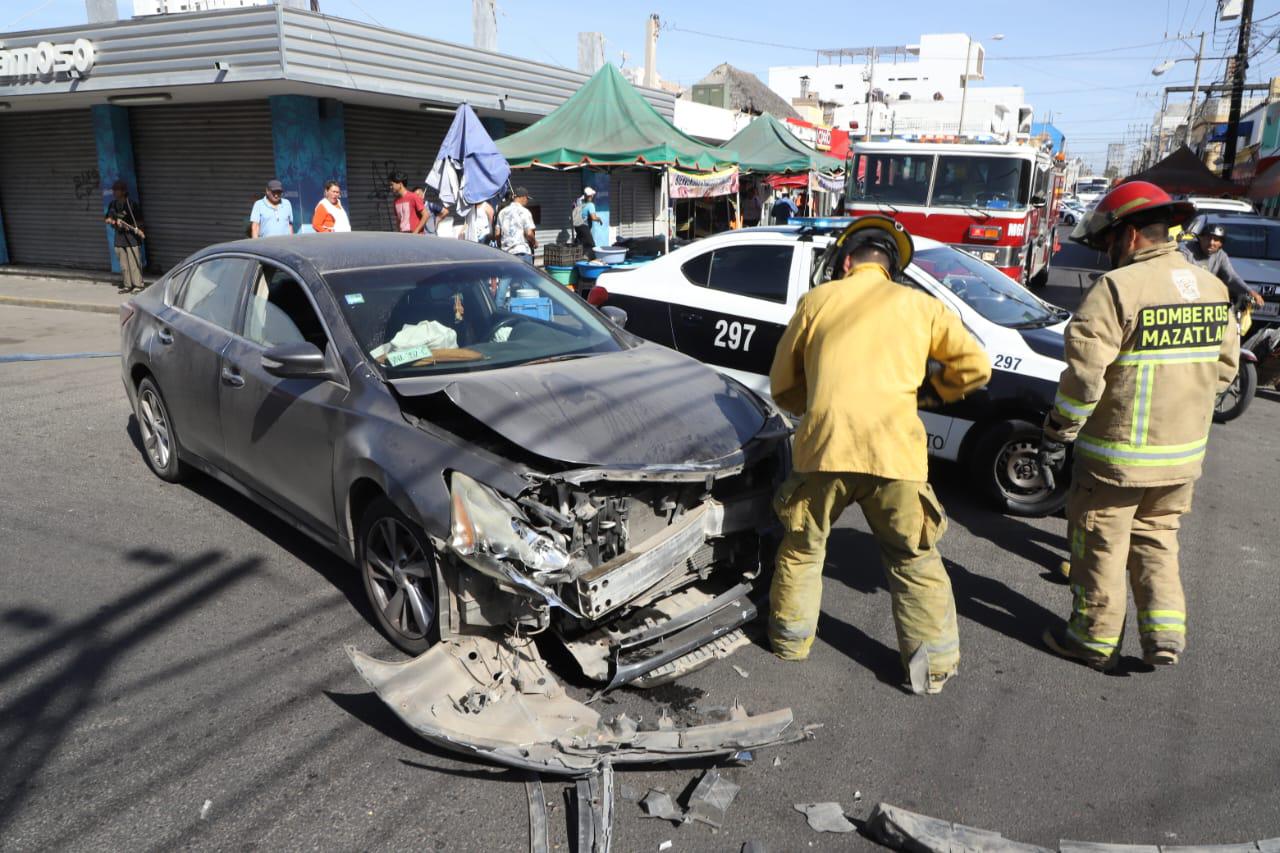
917	89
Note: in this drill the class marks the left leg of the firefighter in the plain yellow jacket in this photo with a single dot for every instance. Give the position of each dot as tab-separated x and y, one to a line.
807	505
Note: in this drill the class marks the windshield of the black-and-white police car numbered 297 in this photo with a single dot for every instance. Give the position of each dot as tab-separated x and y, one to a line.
986	290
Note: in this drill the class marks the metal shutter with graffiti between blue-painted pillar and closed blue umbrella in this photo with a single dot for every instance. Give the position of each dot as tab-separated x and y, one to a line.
382	142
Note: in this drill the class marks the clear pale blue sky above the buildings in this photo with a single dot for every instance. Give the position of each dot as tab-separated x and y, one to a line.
1087	62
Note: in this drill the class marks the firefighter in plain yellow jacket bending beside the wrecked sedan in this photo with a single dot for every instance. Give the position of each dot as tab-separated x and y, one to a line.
852	363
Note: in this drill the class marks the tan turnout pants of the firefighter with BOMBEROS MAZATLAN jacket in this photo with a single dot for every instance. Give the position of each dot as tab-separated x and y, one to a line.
1119	532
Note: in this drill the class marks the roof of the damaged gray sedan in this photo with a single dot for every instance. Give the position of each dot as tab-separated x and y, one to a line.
359	250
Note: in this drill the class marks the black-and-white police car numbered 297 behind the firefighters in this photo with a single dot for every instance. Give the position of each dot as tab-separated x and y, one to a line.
728	299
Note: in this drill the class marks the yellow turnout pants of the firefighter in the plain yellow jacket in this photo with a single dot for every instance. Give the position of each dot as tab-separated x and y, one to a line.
908	522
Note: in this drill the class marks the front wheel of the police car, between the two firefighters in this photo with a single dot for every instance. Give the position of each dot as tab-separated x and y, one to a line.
1005	463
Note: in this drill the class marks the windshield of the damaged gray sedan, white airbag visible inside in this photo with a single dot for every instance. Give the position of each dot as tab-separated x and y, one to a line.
463	317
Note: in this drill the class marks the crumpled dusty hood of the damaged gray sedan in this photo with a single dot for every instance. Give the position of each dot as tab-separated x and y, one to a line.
642	407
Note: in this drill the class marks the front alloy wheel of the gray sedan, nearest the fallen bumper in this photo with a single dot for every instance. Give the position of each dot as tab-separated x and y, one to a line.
400	578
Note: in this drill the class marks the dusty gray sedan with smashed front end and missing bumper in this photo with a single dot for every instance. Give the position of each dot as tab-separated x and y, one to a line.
499	459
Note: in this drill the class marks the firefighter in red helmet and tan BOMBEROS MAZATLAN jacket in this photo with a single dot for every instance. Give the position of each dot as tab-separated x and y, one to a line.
1148	353
